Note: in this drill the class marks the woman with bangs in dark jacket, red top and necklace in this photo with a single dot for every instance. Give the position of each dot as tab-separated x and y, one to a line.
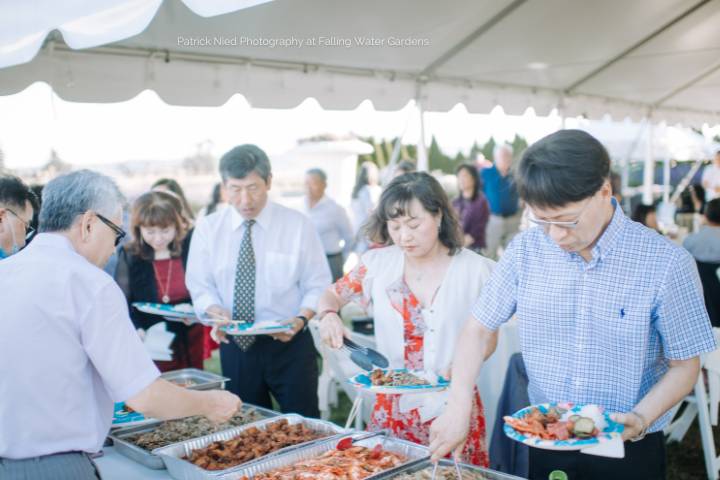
151	268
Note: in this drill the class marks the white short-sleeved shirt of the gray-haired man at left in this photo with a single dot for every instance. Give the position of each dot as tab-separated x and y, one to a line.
68	350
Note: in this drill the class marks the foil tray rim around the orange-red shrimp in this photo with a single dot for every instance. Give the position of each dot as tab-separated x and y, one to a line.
415	454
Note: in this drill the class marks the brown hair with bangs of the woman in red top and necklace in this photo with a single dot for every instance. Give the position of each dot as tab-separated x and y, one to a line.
156	209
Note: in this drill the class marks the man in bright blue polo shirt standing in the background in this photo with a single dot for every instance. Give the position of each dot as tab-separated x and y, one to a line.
503	199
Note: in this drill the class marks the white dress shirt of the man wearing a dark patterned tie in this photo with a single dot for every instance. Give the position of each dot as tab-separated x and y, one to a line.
290	264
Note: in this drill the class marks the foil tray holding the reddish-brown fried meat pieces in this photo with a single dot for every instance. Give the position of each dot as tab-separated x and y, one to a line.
181	469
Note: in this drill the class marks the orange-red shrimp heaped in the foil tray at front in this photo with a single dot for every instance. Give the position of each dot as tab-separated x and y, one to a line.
354	463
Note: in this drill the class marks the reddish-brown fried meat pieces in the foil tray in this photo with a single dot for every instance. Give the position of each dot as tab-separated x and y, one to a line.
251	444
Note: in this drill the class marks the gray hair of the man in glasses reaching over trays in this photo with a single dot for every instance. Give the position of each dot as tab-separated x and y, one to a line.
73	194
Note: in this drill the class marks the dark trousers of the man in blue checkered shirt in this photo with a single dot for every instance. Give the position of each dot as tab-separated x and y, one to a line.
643	460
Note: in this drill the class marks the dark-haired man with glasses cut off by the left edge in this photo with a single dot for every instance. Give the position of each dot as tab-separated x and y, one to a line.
17	205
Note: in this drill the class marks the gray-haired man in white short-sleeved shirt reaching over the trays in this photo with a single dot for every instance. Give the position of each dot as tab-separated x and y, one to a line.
68	349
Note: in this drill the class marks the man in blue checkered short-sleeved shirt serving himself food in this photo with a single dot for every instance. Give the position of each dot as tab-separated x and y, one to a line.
609	313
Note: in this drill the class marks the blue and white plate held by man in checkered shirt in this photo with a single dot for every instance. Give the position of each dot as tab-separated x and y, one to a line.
611	431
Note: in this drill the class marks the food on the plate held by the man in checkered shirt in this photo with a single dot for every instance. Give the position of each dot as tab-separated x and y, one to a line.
558	423
